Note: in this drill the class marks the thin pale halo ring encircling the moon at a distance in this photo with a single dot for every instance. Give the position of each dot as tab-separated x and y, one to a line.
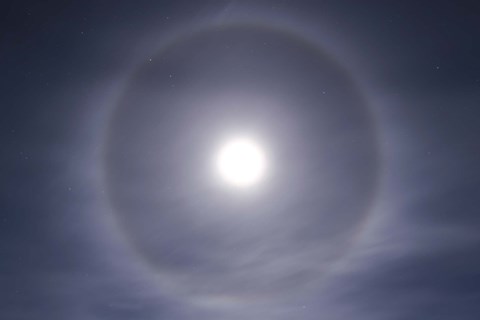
158	266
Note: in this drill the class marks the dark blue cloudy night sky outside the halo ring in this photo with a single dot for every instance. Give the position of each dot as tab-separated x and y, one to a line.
61	256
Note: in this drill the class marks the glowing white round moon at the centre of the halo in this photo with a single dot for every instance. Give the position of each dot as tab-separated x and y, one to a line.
241	162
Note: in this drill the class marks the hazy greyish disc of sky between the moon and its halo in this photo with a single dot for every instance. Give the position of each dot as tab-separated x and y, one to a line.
149	233
